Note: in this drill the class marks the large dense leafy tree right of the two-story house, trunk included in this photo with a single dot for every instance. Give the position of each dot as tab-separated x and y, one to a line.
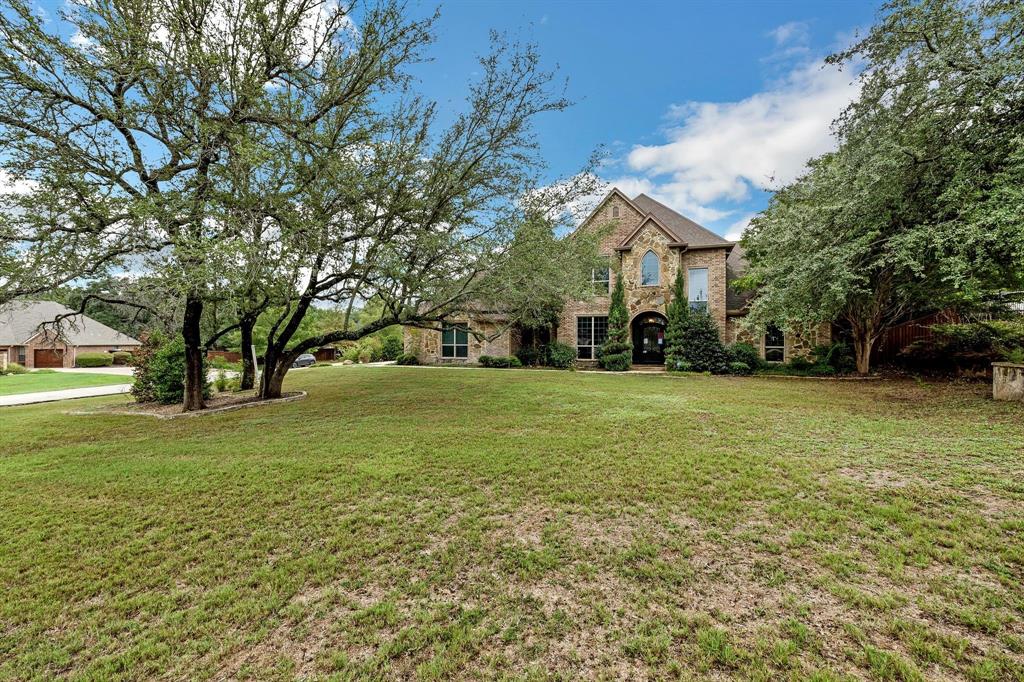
918	207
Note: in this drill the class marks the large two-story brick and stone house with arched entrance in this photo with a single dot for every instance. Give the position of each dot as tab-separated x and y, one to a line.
648	243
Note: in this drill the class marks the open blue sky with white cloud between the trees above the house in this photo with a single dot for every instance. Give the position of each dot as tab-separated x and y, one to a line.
703	106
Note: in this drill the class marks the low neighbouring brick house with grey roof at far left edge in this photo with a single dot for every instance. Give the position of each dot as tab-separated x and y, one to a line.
29	336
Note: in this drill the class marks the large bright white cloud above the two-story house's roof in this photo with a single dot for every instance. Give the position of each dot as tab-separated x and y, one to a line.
719	151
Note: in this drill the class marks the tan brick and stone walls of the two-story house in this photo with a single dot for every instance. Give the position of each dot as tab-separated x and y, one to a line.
628	236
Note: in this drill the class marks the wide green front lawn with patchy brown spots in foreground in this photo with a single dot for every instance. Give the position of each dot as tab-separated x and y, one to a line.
409	523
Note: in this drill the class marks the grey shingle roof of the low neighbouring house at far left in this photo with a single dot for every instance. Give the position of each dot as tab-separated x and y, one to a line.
20	321
